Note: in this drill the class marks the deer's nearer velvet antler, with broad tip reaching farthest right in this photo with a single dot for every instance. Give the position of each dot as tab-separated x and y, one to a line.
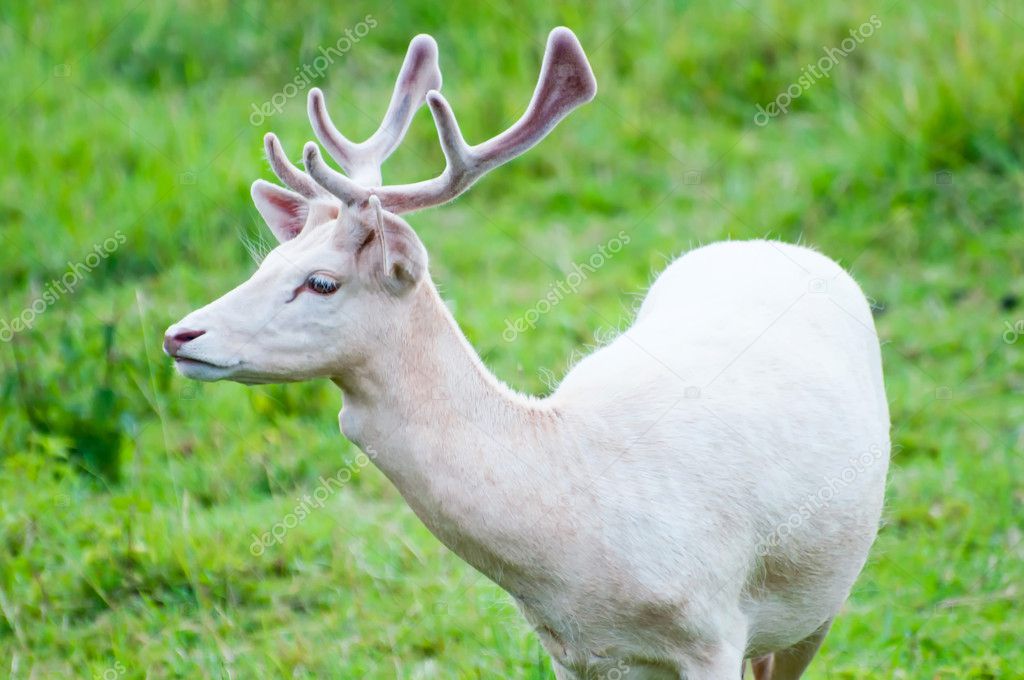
566	82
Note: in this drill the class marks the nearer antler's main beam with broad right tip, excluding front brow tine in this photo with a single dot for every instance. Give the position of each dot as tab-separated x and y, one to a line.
566	82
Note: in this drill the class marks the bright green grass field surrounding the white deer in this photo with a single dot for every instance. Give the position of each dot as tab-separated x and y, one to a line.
130	497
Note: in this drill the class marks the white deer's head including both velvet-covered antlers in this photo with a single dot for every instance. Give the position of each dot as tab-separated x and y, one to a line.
329	295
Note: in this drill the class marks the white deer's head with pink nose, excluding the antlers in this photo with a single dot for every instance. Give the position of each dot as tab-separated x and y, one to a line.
283	325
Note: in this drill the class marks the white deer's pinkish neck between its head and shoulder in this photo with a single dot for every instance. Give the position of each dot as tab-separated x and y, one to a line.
478	462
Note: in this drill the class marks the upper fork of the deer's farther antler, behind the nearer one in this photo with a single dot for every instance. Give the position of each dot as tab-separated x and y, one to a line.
420	74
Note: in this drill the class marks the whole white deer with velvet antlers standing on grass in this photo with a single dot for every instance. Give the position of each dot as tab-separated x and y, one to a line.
701	491
